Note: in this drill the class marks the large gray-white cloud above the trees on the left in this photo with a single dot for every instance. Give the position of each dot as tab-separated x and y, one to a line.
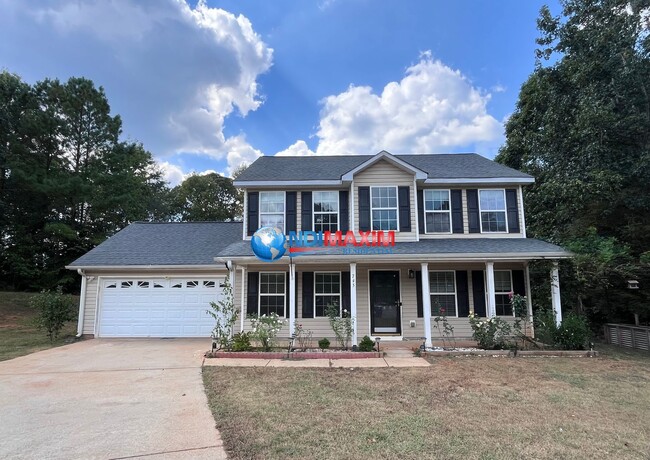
173	72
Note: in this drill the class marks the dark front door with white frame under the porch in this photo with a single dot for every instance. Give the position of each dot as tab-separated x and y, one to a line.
385	317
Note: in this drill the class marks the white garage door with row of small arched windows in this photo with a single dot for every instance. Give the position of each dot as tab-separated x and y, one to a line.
158	307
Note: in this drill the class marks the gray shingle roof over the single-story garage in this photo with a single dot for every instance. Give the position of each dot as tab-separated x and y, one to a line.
169	243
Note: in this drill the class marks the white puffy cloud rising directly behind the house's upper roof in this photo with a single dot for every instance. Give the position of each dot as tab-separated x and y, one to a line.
433	108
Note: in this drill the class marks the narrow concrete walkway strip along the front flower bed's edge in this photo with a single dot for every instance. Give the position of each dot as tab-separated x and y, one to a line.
370	362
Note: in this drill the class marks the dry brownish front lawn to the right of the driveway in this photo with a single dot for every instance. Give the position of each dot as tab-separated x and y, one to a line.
469	408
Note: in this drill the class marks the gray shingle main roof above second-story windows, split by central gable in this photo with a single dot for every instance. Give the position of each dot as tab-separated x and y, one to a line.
438	166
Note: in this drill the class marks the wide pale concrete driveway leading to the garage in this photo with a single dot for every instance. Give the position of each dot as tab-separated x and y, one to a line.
108	399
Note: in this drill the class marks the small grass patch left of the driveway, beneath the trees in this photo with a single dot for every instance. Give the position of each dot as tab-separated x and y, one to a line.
18	334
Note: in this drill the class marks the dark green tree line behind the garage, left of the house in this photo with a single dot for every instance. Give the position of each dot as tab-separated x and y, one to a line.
67	181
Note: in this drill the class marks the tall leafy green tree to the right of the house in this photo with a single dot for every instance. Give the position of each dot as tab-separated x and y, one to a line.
582	128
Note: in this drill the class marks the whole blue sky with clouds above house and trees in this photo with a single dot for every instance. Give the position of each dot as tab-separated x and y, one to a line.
209	85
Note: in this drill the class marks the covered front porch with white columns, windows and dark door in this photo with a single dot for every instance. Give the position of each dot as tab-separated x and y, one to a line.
391	300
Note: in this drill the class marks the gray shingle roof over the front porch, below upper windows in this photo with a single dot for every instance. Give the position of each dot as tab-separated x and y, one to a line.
442	246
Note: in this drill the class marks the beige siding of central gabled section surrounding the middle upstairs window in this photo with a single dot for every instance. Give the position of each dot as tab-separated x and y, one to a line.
384	173
